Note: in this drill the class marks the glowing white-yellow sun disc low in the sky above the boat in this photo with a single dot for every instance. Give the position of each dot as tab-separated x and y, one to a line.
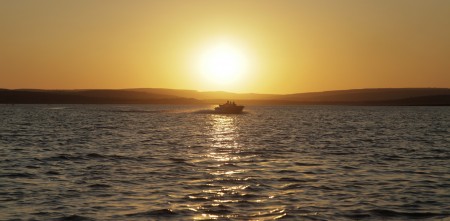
223	63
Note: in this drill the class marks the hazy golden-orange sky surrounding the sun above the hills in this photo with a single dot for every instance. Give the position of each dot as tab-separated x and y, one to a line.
289	45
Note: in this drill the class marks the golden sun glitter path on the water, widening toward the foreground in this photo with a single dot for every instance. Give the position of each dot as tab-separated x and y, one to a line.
229	188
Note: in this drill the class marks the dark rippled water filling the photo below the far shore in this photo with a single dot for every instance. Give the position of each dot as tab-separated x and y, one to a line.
113	162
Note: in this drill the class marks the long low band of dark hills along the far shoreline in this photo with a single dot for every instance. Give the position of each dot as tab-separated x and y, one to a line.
383	97
